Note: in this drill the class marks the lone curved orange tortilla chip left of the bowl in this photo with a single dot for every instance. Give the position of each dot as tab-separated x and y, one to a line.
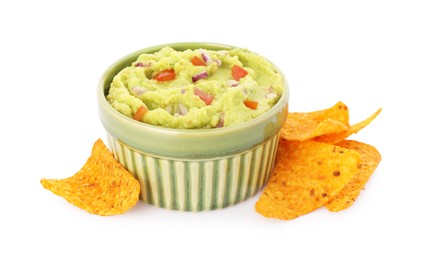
101	187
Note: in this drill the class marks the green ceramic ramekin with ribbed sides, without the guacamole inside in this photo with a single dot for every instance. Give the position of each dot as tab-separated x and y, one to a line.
192	170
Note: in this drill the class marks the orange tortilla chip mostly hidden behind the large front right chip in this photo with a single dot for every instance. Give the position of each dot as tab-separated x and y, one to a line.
370	160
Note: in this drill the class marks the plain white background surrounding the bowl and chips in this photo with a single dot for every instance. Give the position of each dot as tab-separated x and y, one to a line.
369	54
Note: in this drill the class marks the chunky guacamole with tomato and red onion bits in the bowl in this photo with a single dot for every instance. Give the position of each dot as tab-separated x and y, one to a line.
196	88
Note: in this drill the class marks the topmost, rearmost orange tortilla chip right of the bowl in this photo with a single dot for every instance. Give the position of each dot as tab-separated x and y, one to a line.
305	126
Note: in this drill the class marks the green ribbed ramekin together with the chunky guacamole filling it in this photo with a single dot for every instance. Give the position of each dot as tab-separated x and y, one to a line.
196	123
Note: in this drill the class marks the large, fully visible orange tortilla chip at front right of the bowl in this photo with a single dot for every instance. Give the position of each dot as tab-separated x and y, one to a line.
307	175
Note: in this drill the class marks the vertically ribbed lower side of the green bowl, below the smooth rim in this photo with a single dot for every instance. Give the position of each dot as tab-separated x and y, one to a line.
198	185
